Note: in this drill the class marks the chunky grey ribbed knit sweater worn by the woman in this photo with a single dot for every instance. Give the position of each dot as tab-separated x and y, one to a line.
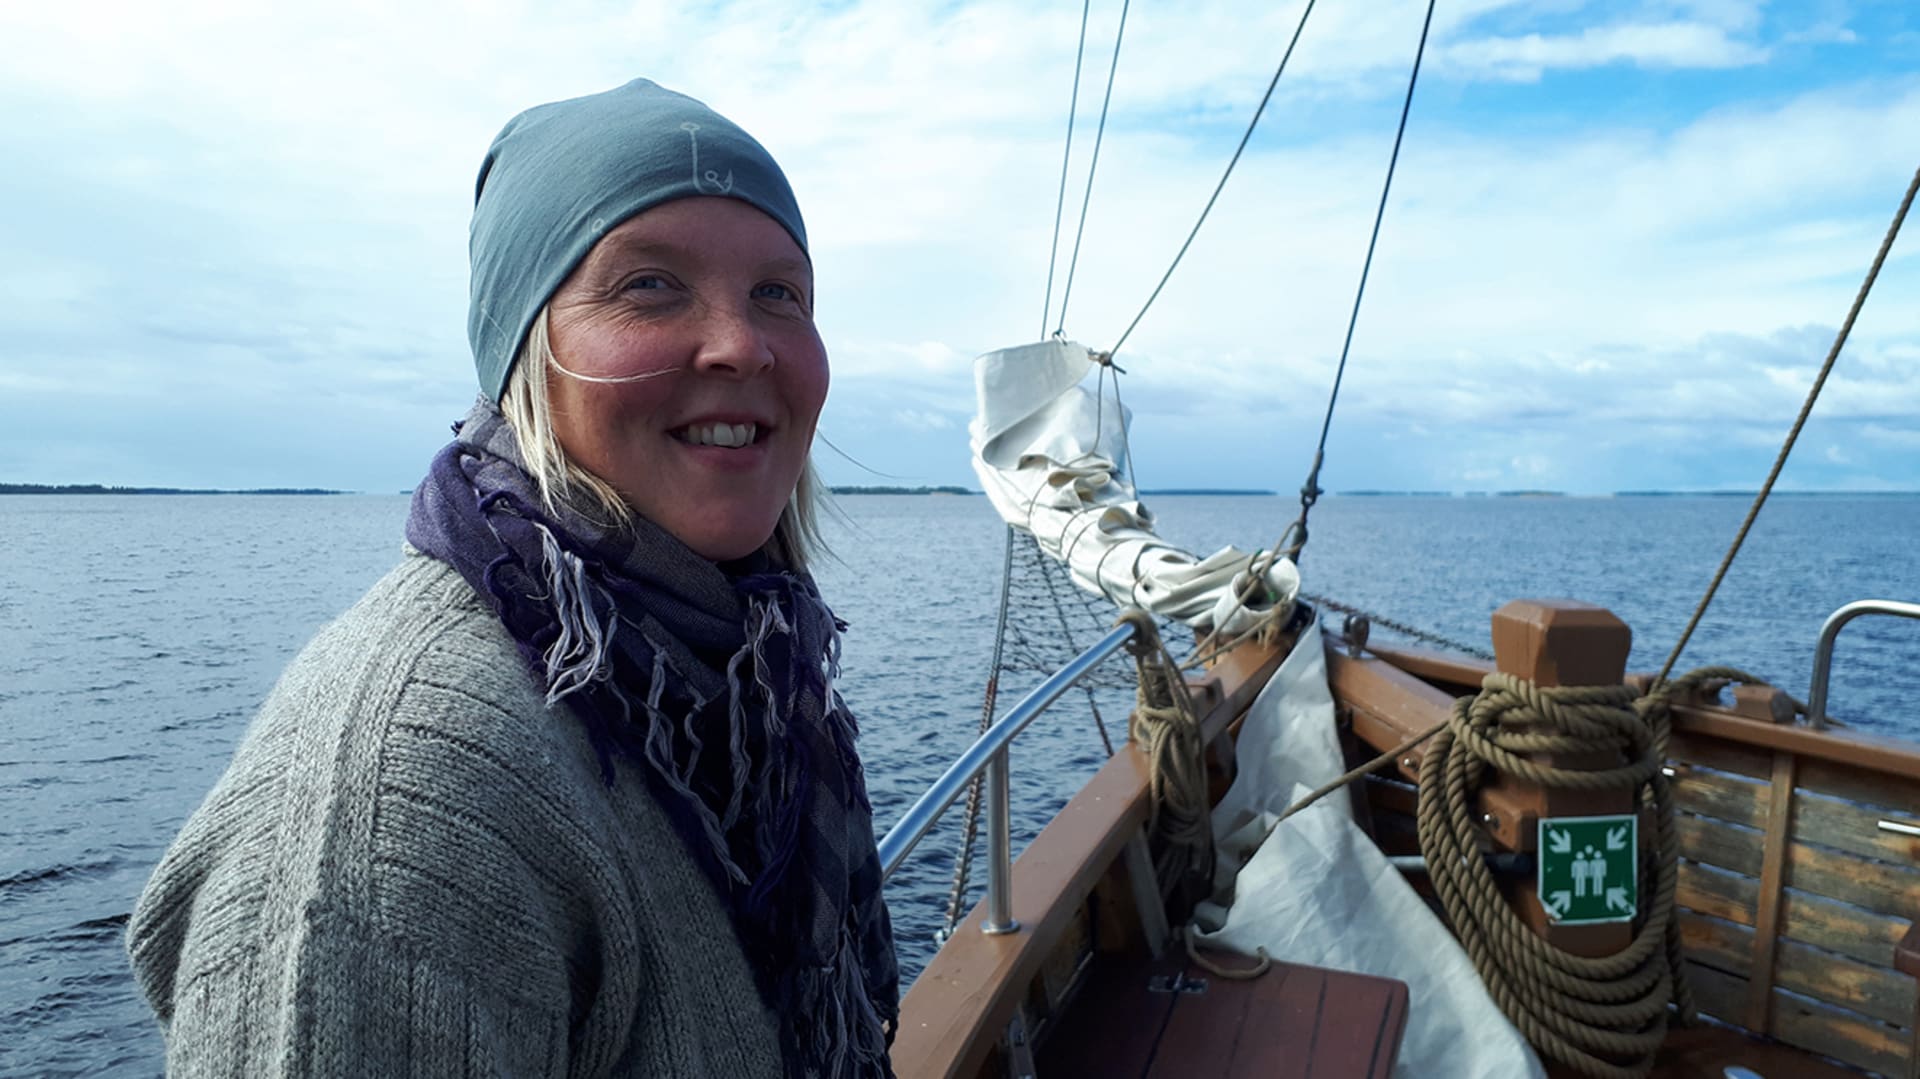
416	869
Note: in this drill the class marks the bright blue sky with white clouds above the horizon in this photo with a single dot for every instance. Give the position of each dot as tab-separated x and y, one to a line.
1621	237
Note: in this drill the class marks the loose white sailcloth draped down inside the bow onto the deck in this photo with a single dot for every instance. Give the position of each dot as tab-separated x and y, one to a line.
1318	892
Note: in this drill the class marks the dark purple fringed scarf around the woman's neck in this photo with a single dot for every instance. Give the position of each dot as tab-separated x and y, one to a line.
719	688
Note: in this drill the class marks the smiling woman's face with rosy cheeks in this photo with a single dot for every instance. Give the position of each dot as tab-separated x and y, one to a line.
711	302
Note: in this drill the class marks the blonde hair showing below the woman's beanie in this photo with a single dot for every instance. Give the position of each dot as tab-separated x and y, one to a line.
564	483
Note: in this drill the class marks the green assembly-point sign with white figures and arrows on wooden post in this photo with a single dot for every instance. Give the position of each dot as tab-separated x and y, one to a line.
1591	869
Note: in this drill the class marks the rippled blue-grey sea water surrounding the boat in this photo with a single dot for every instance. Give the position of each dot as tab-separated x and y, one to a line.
139	635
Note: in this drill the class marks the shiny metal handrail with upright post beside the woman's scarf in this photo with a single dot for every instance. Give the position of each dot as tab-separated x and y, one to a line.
990	754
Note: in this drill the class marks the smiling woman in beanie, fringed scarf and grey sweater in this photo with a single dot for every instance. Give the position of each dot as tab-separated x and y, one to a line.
571	792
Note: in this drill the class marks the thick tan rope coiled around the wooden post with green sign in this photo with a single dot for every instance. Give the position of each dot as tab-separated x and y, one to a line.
1600	1017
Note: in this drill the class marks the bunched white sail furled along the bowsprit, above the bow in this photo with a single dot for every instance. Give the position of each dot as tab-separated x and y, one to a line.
1051	456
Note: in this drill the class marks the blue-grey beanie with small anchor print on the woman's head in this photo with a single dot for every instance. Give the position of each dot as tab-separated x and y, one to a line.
564	176
